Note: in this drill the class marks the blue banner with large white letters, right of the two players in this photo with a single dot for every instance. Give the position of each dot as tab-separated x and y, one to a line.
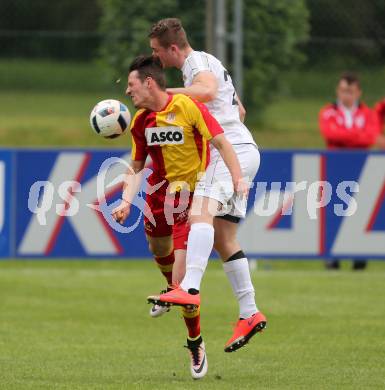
317	204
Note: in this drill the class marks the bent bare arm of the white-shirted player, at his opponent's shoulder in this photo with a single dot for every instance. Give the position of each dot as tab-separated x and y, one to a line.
204	87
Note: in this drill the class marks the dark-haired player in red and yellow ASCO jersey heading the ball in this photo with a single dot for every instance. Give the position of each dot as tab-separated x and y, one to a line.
174	131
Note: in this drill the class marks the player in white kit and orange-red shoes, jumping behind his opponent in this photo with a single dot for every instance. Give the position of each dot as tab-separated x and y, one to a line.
206	80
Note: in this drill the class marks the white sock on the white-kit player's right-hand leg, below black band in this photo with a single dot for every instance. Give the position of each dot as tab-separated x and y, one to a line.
238	273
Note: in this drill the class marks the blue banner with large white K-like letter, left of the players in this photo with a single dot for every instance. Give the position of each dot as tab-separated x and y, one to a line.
59	195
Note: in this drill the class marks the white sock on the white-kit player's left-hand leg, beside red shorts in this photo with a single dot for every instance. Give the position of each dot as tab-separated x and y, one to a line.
199	247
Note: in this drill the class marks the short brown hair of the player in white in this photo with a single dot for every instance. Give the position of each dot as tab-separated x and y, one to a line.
169	32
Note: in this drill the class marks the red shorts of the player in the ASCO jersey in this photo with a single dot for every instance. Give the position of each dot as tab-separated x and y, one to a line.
167	214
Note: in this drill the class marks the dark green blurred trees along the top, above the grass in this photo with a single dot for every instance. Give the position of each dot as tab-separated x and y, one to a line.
279	35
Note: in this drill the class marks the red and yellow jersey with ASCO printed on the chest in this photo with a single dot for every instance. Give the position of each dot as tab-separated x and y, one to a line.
176	139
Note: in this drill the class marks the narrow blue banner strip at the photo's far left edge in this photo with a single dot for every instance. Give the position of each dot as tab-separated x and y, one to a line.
6	191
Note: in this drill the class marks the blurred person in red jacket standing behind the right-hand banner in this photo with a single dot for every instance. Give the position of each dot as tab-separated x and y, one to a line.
348	124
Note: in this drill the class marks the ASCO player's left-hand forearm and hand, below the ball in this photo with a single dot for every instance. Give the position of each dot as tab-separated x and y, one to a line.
131	186
